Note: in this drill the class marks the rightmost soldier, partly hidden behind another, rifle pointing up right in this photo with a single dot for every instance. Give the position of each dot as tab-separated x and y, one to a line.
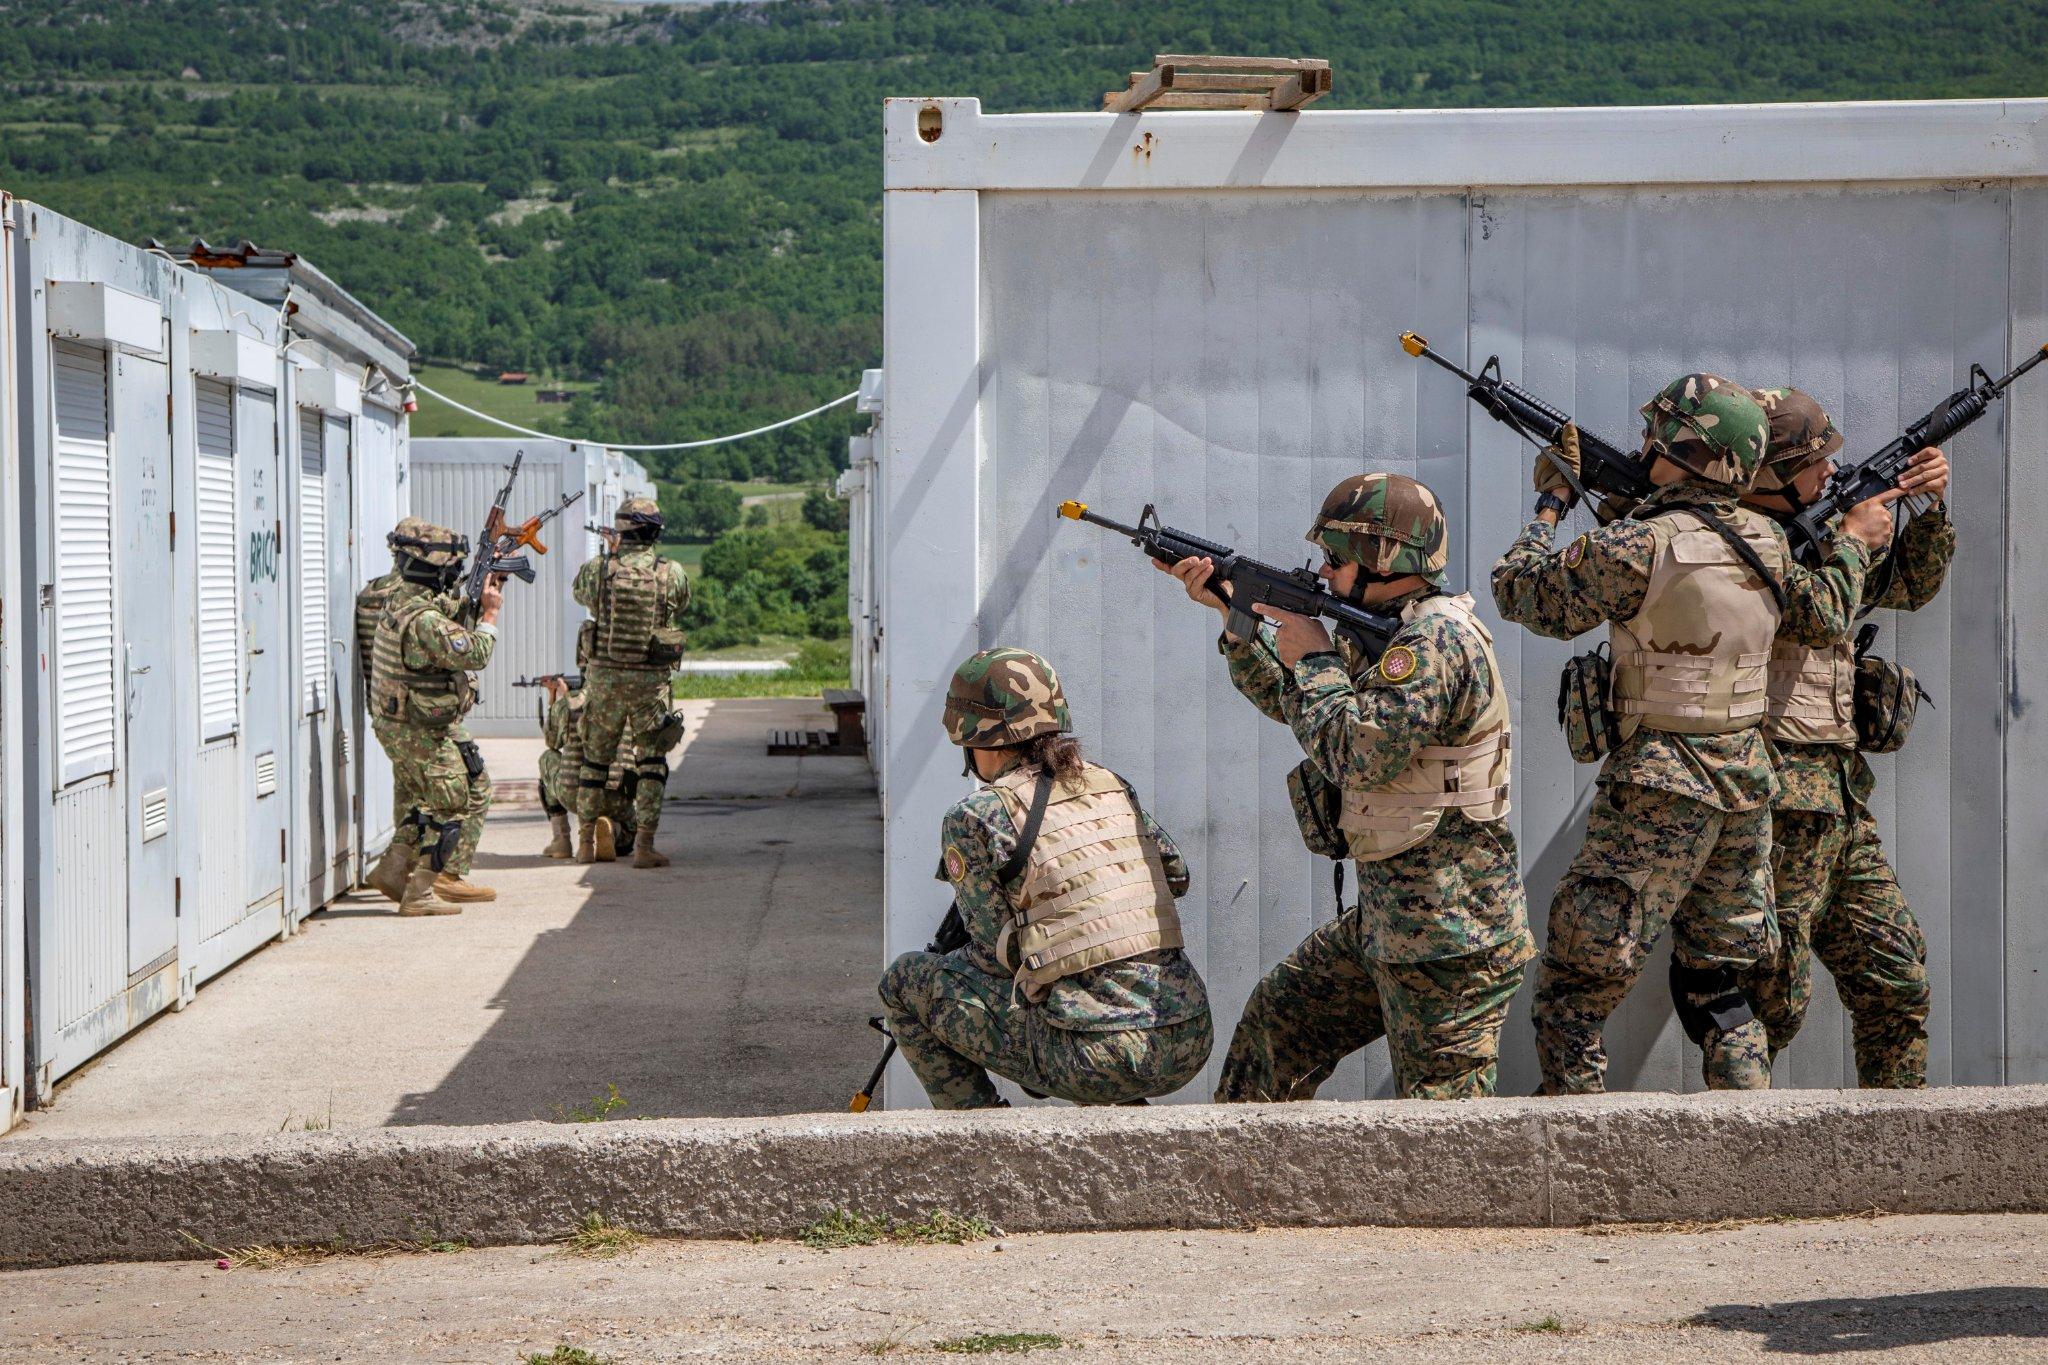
1838	895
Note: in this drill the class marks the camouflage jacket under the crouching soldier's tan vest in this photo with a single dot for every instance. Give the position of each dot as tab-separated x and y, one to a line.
1148	992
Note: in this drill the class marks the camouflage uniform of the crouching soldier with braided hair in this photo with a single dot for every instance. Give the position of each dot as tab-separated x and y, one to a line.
1111	1034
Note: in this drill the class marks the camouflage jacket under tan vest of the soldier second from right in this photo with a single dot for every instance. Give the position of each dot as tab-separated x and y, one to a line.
1570	595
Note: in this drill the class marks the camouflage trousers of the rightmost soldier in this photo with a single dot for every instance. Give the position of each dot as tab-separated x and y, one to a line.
1840	901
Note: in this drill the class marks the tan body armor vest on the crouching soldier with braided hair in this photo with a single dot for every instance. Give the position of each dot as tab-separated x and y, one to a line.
1093	889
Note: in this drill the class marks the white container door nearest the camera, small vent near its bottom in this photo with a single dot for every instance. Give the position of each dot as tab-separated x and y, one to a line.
148	615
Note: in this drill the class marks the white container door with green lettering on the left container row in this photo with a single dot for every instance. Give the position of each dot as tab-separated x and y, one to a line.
265	658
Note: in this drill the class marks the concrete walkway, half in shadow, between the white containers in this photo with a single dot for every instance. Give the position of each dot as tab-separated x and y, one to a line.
732	983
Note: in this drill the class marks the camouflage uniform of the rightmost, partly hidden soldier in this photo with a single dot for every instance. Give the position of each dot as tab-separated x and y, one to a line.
1838	895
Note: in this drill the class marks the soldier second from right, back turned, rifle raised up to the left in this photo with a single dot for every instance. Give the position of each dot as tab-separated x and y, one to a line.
1697	588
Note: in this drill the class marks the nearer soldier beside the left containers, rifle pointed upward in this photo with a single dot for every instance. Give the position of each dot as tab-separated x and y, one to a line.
421	689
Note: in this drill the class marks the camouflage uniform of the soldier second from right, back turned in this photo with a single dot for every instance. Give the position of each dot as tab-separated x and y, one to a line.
1680	826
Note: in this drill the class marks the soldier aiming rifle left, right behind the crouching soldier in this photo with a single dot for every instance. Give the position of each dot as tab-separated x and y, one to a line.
1406	775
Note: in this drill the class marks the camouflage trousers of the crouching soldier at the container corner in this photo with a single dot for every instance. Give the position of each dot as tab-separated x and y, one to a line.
957	1024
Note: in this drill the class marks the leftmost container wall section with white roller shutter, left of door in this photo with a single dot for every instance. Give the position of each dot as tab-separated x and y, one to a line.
85	944
